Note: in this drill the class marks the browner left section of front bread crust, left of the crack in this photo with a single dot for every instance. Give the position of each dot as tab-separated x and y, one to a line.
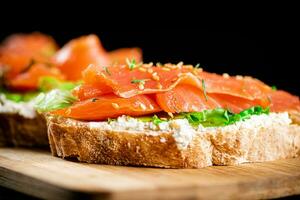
90	145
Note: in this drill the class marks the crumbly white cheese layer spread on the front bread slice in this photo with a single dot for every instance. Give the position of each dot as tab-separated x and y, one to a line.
183	132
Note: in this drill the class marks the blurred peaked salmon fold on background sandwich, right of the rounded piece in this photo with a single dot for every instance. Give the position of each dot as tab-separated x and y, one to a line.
79	53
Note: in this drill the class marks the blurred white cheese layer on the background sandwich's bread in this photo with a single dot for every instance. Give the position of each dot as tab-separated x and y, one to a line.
24	109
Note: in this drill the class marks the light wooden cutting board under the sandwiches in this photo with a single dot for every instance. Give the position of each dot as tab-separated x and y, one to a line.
37	173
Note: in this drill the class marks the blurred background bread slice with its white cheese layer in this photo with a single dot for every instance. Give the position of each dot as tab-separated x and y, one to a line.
20	125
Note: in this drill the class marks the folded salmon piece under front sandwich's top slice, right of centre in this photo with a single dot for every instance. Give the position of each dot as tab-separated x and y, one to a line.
186	98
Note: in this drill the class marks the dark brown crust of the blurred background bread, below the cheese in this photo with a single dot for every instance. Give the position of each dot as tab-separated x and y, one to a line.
17	130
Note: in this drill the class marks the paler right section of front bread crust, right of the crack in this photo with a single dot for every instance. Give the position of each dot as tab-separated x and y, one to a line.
266	144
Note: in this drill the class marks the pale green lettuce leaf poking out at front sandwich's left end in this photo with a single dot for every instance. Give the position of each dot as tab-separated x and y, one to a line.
53	100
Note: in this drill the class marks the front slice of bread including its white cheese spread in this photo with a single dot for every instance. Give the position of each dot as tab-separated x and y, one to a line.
261	138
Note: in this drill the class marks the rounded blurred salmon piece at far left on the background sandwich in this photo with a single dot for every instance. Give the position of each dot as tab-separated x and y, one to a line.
19	50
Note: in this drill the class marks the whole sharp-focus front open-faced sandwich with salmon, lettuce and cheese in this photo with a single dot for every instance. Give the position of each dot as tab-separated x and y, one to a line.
172	116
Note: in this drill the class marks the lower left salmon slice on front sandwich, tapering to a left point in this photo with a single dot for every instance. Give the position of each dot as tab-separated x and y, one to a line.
110	106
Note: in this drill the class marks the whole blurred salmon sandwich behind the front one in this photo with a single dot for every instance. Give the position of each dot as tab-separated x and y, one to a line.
33	63
